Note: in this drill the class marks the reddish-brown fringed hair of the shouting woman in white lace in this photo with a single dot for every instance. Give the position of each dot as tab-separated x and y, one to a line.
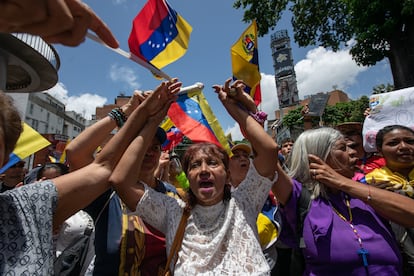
210	149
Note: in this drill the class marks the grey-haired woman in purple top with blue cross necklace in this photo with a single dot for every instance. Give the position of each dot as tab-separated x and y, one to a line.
345	230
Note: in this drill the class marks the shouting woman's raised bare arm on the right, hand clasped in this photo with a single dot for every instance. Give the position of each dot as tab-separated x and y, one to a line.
265	148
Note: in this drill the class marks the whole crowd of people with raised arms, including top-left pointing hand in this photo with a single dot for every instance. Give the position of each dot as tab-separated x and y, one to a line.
338	209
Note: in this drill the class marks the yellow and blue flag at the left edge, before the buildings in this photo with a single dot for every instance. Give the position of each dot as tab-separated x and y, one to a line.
29	142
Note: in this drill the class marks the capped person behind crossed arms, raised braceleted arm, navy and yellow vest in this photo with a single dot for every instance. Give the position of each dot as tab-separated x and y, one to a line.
123	242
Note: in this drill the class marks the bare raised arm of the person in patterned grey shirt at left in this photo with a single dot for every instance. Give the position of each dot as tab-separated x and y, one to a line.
77	189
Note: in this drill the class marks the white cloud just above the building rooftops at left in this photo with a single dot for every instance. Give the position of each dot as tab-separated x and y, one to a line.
84	104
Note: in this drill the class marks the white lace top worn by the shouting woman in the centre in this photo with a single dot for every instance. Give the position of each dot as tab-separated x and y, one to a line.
218	240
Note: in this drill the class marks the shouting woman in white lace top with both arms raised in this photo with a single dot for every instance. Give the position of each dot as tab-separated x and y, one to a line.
220	236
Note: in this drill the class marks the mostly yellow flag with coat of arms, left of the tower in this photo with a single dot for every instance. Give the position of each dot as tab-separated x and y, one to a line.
245	62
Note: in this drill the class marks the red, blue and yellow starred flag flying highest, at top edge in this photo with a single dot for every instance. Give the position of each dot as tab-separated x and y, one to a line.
159	34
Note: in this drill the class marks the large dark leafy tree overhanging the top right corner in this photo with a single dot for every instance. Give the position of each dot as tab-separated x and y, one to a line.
380	28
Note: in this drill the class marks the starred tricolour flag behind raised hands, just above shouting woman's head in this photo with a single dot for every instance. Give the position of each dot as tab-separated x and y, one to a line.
192	115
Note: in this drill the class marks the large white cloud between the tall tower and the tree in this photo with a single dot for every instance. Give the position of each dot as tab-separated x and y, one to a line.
323	69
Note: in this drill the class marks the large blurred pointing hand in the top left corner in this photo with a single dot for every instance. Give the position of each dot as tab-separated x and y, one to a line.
56	21
